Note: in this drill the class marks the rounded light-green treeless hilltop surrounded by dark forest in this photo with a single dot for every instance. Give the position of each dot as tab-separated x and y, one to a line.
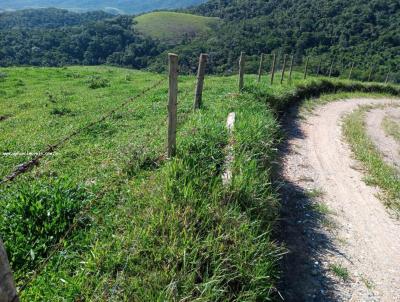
172	28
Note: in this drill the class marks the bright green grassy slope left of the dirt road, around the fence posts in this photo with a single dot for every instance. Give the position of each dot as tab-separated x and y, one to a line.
105	216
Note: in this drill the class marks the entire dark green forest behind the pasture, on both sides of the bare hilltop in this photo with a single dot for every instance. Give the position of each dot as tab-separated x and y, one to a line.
364	32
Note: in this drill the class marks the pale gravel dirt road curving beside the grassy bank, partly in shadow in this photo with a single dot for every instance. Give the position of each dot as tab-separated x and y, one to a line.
345	246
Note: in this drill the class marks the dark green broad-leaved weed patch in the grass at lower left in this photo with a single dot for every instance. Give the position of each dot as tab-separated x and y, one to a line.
35	215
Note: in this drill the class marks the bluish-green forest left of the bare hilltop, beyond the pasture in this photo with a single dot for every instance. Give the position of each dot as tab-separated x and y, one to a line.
53	37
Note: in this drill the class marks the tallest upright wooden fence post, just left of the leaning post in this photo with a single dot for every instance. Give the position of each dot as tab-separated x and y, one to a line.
172	104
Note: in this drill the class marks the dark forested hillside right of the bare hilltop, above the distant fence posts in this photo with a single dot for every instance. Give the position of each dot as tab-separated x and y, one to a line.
364	31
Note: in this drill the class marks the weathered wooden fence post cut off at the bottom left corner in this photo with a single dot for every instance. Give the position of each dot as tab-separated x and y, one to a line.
8	293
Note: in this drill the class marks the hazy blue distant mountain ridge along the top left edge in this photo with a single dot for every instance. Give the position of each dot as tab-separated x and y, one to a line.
113	6
